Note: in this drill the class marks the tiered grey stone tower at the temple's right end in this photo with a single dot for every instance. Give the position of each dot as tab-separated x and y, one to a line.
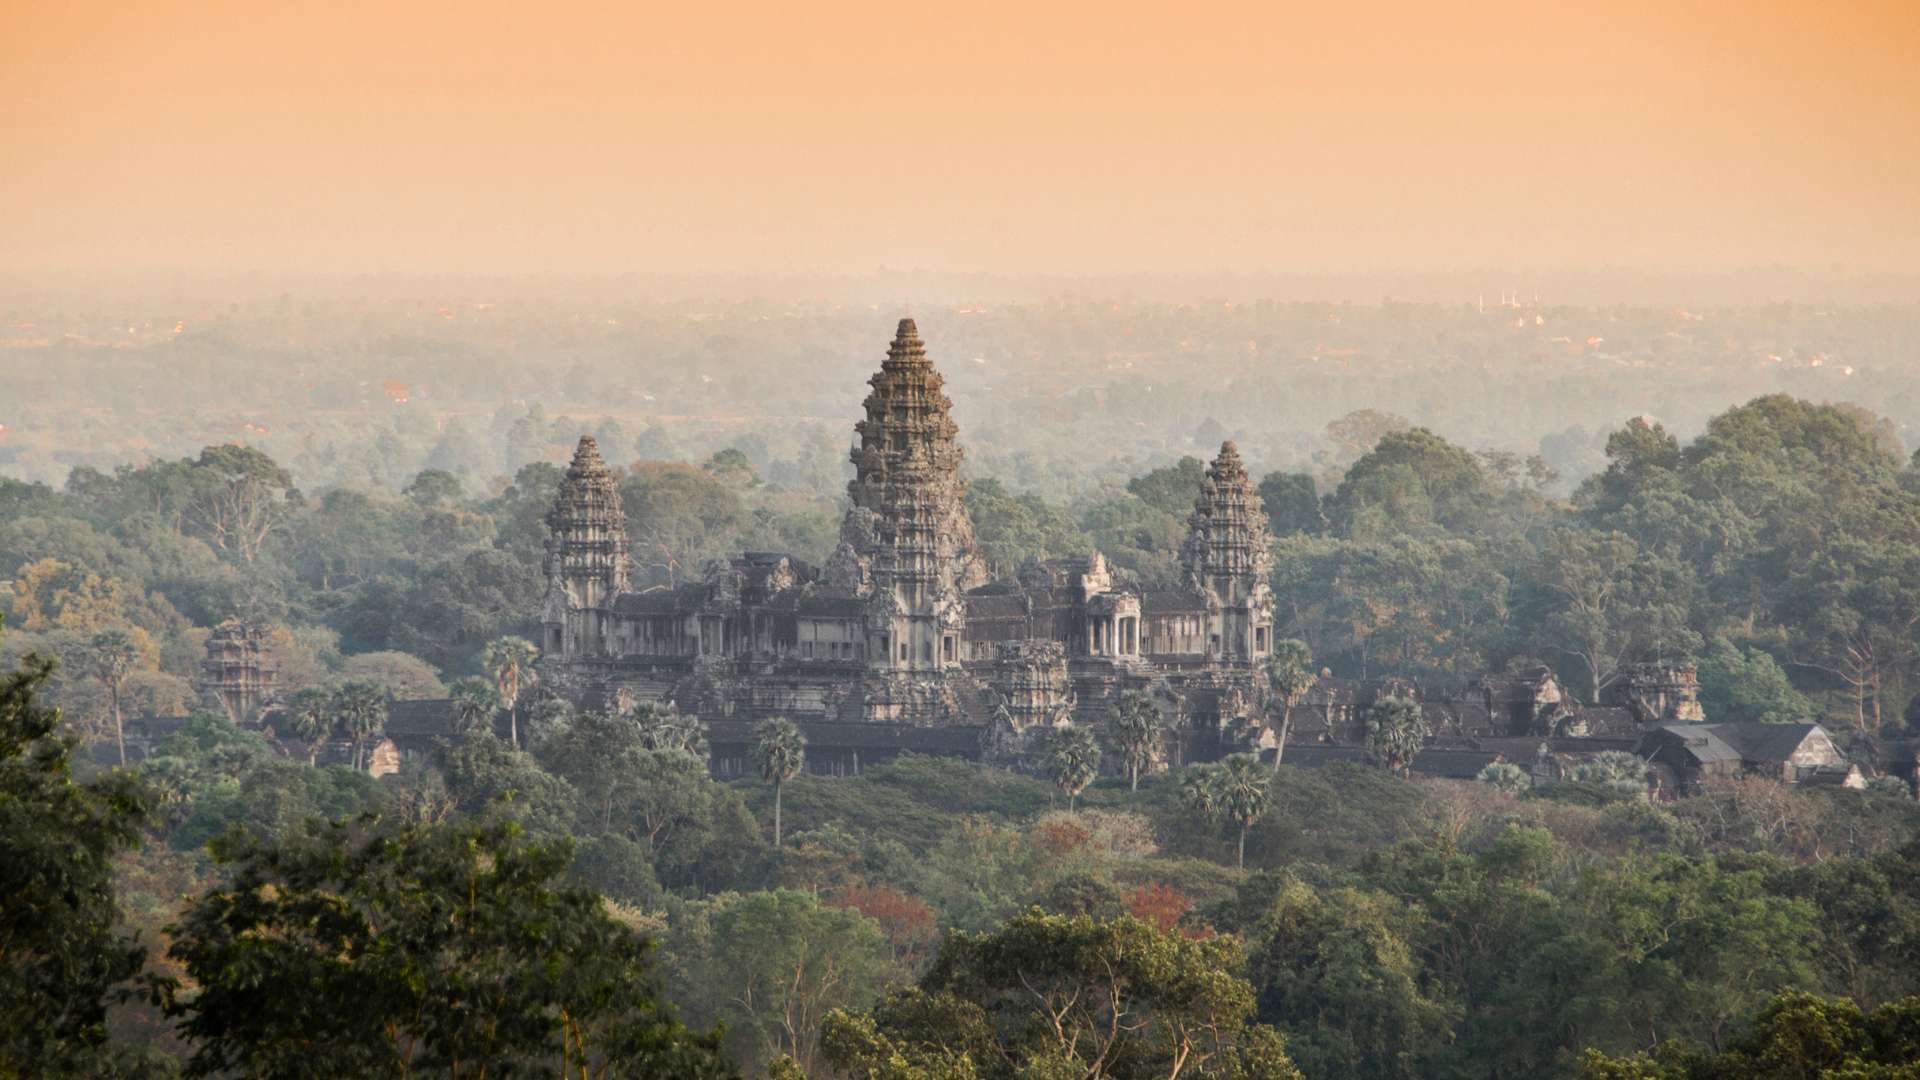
1226	558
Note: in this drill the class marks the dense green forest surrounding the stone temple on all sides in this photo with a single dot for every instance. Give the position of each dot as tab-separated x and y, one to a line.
592	898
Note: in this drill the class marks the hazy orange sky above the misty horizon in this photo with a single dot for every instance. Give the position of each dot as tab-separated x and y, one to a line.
1028	137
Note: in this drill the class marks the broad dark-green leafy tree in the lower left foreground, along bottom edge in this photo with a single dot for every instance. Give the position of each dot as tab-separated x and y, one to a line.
423	952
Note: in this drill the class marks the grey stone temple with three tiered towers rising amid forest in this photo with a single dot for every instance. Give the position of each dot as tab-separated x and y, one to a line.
901	641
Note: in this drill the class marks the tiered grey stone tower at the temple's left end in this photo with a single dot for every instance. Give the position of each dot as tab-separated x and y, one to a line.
587	558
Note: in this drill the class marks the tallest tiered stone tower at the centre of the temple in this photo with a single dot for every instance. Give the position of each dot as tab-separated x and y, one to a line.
907	543
